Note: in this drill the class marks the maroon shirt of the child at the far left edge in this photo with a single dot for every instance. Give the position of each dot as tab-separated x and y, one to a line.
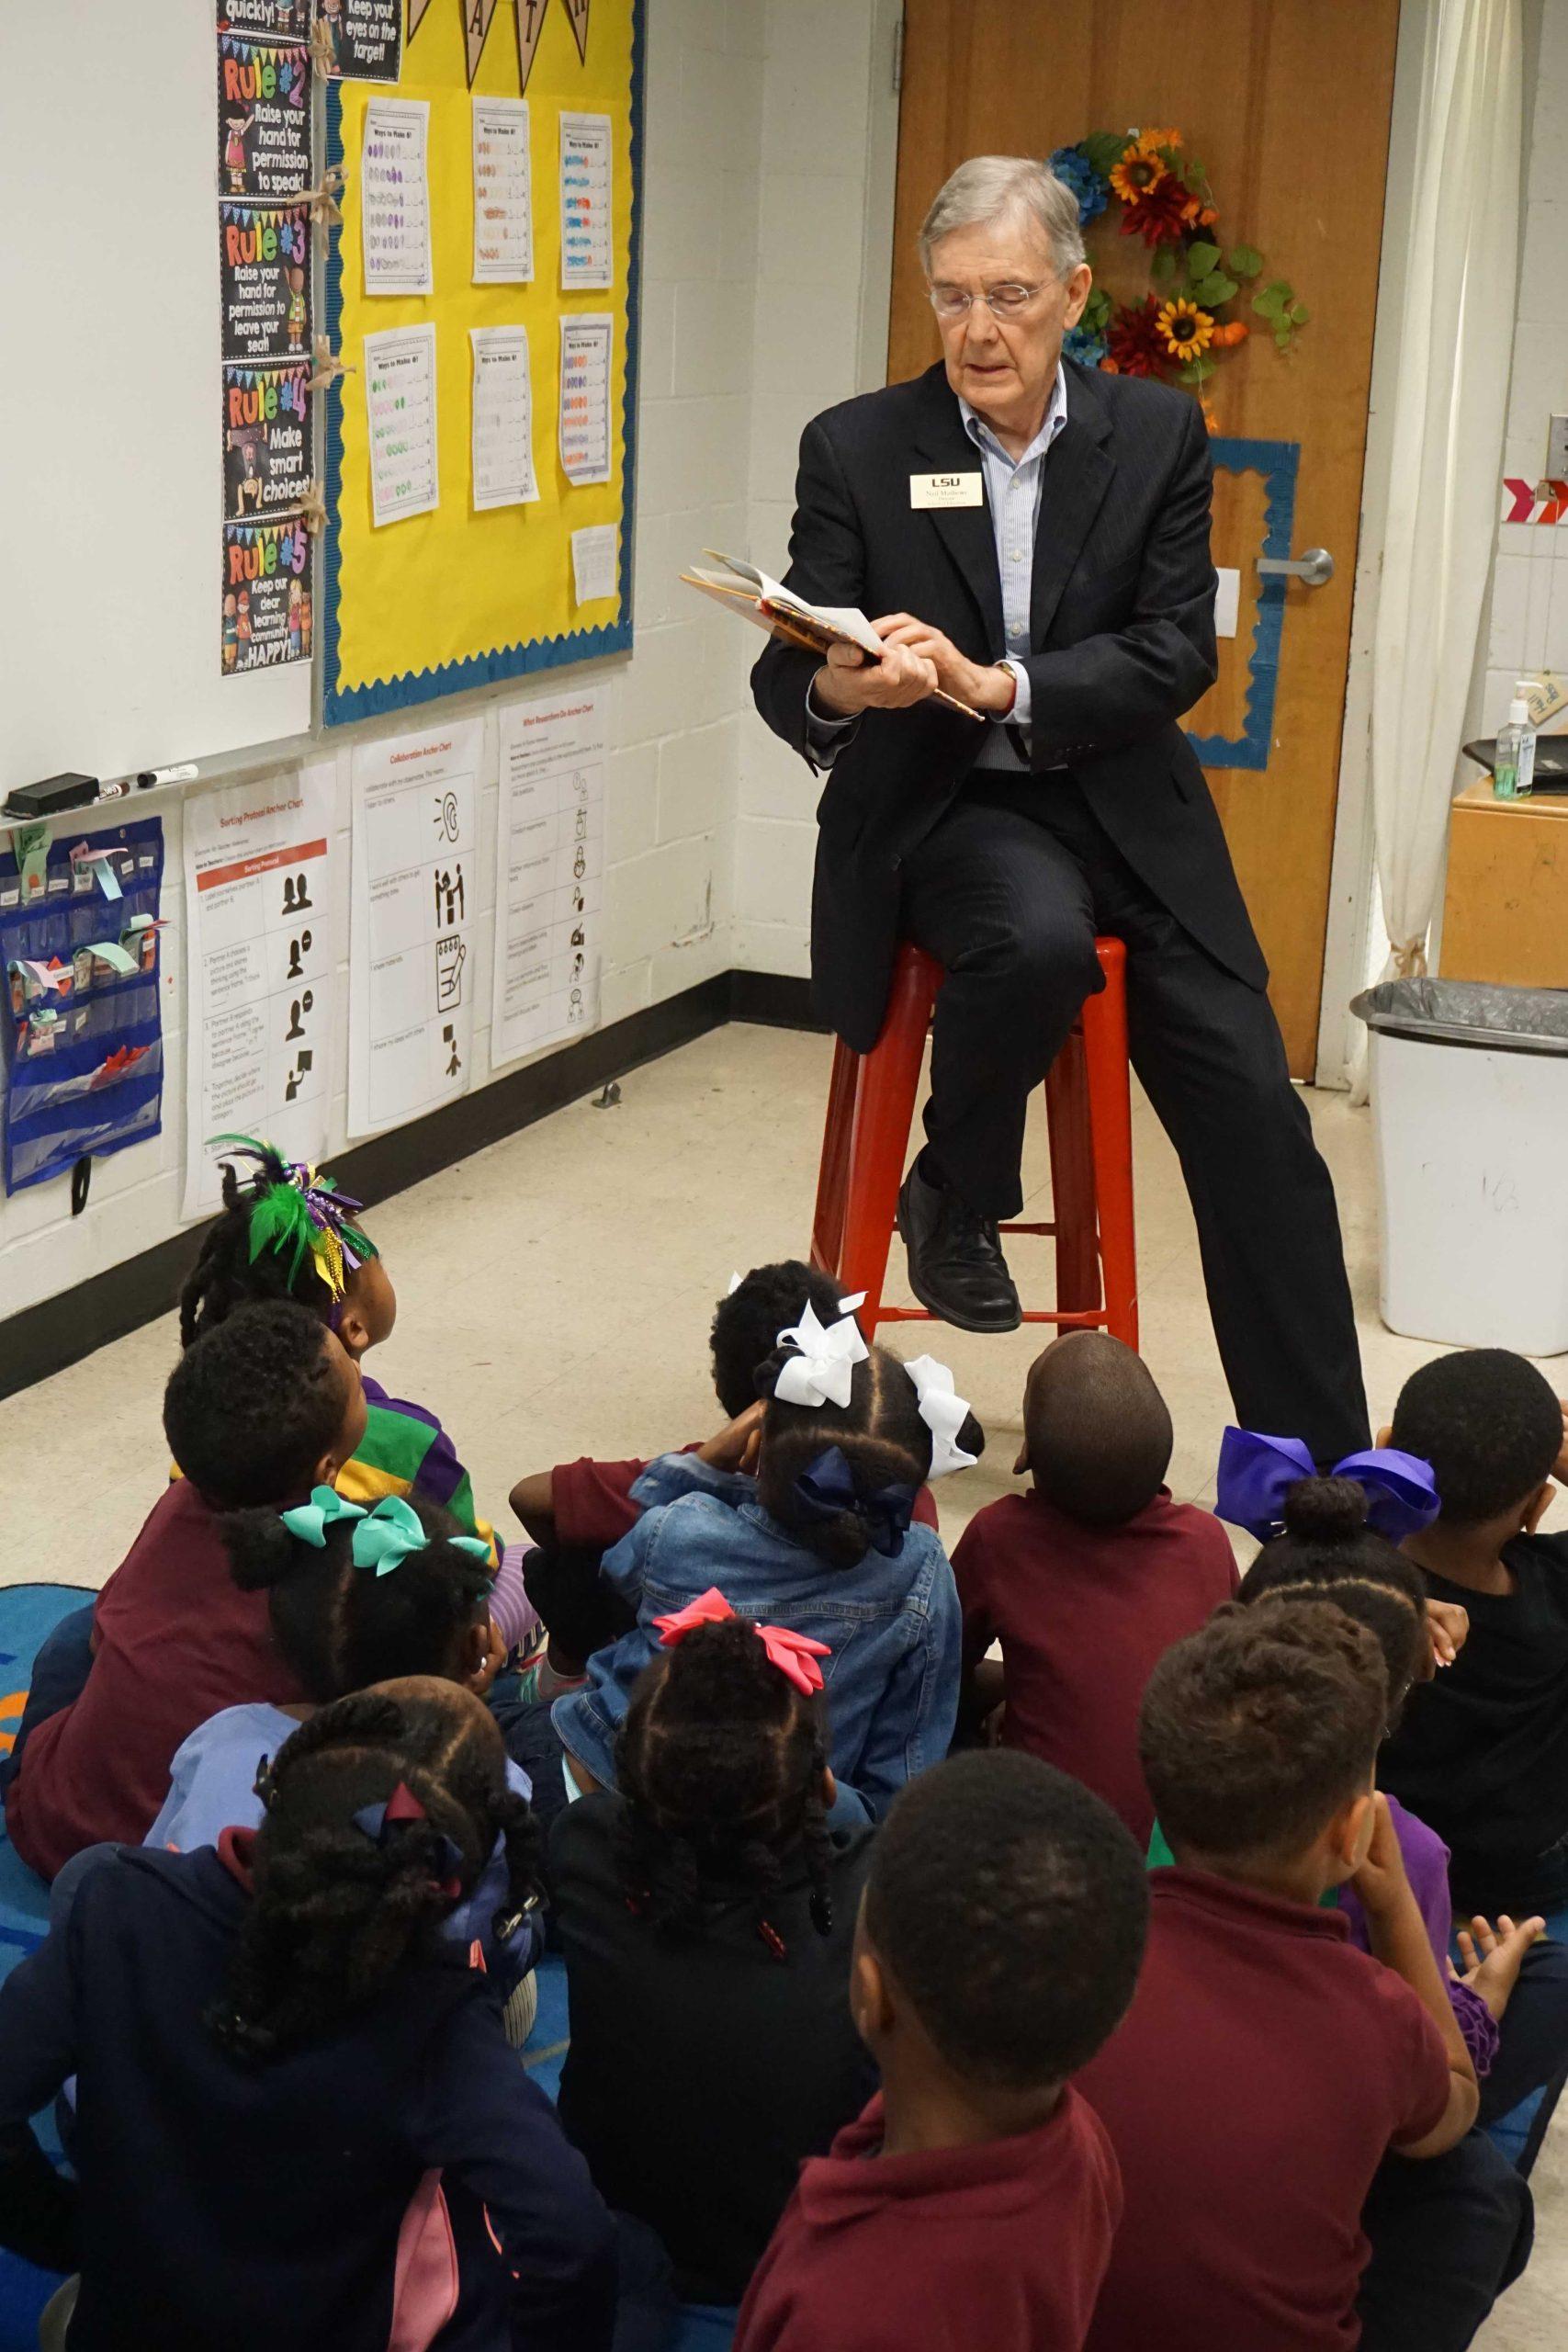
177	1641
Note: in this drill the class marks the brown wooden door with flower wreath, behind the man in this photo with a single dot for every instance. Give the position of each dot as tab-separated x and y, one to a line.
1287	102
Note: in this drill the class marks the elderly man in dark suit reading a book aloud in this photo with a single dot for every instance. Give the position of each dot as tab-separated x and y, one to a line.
1036	542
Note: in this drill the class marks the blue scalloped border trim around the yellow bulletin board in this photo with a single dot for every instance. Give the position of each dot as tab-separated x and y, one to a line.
342	707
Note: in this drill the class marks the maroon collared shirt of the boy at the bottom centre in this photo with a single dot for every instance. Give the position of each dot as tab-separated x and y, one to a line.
998	2247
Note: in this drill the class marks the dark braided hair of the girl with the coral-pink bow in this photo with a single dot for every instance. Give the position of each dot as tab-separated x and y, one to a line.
721	1763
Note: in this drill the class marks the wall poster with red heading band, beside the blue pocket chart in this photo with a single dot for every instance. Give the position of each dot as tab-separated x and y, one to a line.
260	968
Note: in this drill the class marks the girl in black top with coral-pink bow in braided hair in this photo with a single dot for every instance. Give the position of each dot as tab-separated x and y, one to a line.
711	1897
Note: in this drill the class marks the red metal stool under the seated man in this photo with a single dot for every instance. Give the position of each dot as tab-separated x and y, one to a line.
871	1107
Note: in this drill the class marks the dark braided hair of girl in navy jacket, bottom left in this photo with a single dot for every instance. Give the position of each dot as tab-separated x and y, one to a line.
337	1911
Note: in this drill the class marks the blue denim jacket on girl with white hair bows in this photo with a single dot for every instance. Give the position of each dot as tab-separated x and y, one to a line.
892	1624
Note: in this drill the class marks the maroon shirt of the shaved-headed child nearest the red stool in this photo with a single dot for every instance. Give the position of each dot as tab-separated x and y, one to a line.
1085	1615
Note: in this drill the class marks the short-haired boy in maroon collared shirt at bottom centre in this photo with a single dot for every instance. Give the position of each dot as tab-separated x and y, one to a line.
974	2203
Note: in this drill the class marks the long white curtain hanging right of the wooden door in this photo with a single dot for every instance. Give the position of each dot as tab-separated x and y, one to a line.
1456	340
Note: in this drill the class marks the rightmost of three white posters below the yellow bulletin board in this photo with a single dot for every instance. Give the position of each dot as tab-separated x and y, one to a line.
549	874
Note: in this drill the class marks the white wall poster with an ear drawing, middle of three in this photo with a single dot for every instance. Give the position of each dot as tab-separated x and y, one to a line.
410	944
